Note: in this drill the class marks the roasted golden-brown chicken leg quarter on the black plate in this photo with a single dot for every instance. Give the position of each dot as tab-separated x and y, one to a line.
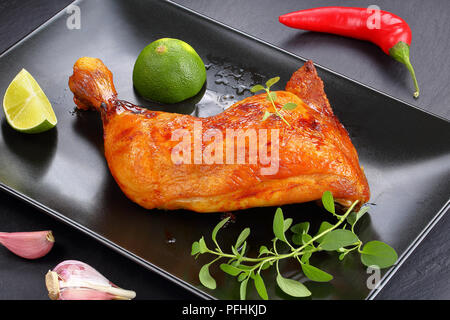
314	151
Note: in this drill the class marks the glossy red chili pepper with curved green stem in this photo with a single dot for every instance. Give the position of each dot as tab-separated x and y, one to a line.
390	32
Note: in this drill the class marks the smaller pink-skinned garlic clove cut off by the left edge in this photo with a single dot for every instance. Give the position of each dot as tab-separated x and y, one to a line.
28	245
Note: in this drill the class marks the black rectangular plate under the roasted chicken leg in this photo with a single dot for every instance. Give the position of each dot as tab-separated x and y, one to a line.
405	151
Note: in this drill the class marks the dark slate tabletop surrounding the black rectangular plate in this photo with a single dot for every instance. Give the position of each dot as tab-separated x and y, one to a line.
426	272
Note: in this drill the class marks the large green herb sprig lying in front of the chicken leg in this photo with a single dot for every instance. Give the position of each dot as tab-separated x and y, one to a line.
330	237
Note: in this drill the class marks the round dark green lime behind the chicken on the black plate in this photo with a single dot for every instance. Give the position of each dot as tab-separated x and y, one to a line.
169	71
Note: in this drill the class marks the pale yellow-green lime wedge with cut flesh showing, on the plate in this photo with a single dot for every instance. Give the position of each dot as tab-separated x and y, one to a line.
26	106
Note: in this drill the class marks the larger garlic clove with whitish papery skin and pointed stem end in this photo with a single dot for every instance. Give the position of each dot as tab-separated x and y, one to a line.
76	280
